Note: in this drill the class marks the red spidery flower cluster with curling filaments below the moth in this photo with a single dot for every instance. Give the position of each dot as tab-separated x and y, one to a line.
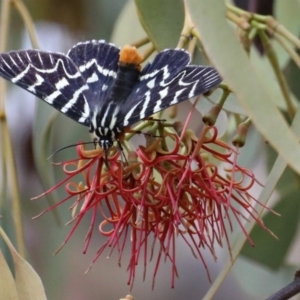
157	194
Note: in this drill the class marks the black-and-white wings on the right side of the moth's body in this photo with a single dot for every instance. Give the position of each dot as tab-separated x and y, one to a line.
168	80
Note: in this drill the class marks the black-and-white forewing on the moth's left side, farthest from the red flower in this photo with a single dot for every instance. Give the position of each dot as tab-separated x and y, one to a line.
52	77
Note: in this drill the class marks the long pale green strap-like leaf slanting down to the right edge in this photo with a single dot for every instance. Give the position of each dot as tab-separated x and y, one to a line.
222	46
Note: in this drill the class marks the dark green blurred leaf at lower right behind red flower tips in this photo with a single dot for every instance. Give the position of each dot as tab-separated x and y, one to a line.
285	227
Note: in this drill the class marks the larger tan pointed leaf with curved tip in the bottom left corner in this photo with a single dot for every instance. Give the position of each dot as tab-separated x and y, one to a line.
28	283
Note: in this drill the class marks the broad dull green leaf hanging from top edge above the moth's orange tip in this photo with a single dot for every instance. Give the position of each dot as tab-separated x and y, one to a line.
162	20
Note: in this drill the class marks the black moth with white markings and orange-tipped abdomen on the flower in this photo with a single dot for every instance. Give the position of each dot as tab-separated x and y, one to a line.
104	88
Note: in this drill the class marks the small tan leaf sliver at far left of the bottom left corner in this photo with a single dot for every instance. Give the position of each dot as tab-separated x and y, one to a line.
8	289
